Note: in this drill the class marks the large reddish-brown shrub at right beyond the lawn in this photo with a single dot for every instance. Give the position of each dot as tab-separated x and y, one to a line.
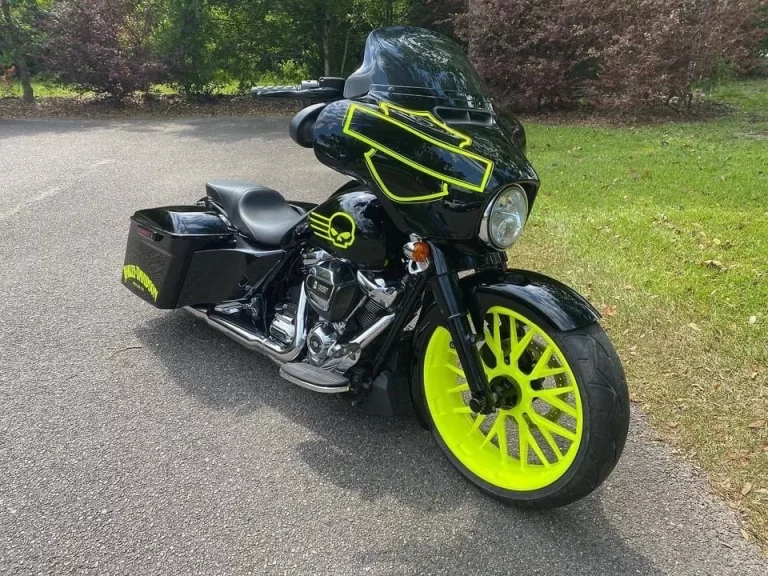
557	53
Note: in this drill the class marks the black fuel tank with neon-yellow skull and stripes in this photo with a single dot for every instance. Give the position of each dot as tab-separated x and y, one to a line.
352	224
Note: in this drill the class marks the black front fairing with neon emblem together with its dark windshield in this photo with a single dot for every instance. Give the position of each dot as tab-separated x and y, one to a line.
419	129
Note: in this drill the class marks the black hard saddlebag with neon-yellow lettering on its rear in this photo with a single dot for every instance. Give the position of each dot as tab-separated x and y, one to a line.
171	262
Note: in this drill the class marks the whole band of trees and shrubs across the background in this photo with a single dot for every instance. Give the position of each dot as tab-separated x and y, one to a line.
534	54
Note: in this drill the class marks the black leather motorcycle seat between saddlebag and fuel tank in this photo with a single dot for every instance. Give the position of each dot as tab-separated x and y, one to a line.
255	210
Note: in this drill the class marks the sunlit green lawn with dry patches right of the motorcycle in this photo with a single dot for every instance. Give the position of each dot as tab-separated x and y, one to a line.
666	229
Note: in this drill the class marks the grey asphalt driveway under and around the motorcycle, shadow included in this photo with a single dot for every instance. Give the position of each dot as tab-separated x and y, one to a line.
135	441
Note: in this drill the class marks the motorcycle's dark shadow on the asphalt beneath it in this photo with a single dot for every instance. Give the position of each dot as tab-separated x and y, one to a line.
380	459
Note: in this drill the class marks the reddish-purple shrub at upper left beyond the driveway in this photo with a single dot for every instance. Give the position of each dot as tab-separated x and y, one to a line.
104	45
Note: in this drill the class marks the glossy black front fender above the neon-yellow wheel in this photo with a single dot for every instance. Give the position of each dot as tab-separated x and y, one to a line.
562	306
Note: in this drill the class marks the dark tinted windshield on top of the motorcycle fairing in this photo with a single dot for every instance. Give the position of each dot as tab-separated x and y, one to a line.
407	65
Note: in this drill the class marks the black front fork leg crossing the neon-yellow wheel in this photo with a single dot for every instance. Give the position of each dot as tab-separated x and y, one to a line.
454	310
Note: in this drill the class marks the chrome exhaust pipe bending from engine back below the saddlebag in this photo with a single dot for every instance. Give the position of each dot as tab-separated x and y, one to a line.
256	340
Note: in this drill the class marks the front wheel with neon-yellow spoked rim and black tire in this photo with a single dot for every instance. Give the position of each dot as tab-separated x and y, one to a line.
565	412
